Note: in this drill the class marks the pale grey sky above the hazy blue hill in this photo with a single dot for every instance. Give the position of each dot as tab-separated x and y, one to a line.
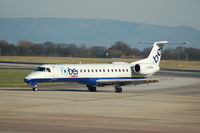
161	12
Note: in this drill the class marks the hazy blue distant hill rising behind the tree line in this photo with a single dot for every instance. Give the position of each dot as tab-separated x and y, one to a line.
92	31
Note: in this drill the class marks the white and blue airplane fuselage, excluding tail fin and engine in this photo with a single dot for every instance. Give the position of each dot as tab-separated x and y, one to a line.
83	73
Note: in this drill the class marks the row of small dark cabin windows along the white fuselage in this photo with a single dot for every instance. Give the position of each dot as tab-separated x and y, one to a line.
103	70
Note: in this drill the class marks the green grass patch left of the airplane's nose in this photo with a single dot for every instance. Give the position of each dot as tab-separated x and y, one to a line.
12	77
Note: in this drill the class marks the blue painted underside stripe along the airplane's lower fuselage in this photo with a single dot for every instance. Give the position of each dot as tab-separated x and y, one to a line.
91	81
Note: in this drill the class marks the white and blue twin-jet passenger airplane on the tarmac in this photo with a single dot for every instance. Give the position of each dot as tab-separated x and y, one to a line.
99	75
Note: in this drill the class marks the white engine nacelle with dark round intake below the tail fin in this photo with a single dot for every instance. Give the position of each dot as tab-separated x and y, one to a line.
145	69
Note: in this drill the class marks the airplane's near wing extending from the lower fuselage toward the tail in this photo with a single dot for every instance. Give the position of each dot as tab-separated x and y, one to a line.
128	81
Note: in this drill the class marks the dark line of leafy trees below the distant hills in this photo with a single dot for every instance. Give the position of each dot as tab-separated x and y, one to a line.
118	50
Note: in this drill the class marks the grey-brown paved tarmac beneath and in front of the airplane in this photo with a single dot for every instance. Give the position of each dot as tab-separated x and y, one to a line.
169	106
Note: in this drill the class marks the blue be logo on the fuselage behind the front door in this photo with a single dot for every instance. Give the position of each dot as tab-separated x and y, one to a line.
69	72
